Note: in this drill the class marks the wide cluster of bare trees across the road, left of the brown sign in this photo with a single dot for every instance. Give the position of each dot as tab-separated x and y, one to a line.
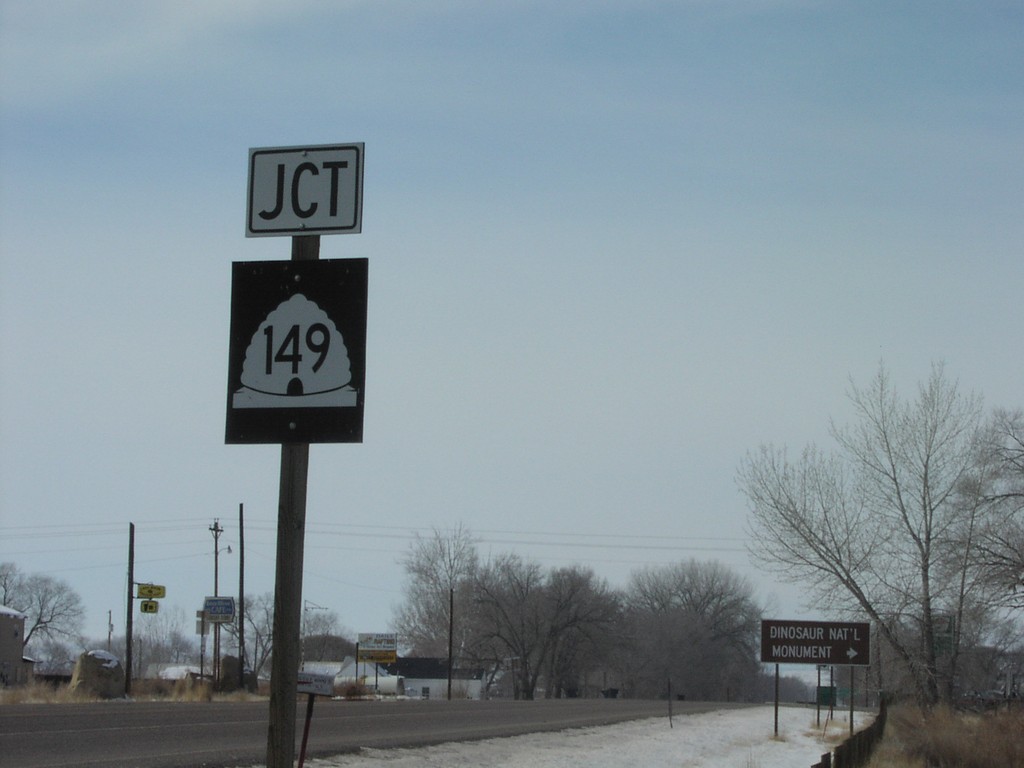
565	631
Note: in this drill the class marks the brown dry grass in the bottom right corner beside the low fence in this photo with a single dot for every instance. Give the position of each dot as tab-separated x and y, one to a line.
944	739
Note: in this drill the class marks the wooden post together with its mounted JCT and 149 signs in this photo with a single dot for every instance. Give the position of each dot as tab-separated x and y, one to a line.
296	370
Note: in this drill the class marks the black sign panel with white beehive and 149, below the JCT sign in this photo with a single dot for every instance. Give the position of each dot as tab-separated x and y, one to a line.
298	352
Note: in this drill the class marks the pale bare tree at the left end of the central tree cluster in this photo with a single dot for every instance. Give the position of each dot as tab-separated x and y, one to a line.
440	573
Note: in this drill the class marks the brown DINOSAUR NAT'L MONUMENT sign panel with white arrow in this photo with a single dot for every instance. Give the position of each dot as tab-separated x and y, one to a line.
836	644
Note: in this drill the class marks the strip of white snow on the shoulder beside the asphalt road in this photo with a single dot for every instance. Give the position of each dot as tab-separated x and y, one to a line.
743	739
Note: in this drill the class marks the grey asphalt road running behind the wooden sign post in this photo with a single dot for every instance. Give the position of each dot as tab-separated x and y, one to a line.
153	735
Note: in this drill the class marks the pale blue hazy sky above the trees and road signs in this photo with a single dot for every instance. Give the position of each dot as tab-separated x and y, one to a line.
613	247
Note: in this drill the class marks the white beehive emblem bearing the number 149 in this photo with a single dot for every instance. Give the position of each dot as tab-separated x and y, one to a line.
296	359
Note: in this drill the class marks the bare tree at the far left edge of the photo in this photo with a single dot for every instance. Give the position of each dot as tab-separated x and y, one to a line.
54	609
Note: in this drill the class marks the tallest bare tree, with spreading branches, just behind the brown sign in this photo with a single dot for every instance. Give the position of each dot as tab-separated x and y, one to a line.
882	526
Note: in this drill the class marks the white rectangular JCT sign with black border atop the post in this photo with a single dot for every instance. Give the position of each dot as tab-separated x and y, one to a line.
306	191
